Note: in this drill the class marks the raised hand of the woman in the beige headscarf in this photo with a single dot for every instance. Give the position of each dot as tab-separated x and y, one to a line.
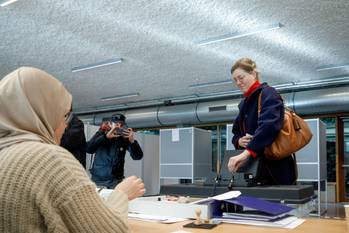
132	186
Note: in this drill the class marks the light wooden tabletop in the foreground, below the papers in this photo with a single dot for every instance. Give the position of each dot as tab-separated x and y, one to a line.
311	225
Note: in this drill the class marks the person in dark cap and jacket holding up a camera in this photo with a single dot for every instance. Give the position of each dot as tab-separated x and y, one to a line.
109	144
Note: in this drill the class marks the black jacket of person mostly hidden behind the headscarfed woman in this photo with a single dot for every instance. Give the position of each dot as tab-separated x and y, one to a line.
74	140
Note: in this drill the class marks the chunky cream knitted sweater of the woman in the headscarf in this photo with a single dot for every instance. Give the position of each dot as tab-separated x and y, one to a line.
44	189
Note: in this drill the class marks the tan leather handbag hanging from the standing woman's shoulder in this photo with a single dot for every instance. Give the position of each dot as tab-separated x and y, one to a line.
294	135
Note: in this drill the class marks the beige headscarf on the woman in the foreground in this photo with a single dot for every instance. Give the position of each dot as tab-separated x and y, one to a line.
32	106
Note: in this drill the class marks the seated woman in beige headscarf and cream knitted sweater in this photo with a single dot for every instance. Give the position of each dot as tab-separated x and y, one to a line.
42	187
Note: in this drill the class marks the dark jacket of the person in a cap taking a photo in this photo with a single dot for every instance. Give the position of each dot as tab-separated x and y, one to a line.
110	156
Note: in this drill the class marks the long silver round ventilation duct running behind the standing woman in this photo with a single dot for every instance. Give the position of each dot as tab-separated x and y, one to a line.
320	101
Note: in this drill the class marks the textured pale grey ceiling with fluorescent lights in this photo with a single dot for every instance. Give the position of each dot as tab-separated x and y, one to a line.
157	40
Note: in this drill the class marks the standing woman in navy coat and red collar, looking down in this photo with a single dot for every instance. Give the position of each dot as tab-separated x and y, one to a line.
254	132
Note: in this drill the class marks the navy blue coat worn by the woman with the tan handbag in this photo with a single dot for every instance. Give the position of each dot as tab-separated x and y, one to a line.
264	129
